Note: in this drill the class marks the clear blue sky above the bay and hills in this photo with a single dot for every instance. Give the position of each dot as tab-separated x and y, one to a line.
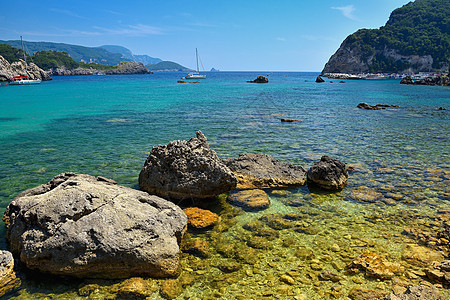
245	35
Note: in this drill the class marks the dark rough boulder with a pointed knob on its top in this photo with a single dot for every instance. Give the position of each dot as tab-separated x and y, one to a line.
186	169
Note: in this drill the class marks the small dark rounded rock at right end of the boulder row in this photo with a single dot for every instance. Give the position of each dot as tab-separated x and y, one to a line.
328	173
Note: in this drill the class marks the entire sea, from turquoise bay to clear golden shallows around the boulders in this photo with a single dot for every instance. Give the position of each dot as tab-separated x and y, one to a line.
398	184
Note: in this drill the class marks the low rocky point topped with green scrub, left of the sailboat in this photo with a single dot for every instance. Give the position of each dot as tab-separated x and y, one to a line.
124	68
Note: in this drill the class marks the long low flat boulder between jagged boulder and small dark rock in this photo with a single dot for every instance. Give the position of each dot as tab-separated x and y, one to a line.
263	171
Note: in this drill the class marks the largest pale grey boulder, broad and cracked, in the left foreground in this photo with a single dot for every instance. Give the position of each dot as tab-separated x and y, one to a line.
85	226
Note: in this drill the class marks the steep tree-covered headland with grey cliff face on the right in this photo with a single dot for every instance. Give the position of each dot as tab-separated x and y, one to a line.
415	39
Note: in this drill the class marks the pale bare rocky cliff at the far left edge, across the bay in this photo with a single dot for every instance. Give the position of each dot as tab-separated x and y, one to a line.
7	70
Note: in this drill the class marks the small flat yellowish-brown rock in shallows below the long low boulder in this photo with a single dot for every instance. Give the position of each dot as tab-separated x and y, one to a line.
250	199
